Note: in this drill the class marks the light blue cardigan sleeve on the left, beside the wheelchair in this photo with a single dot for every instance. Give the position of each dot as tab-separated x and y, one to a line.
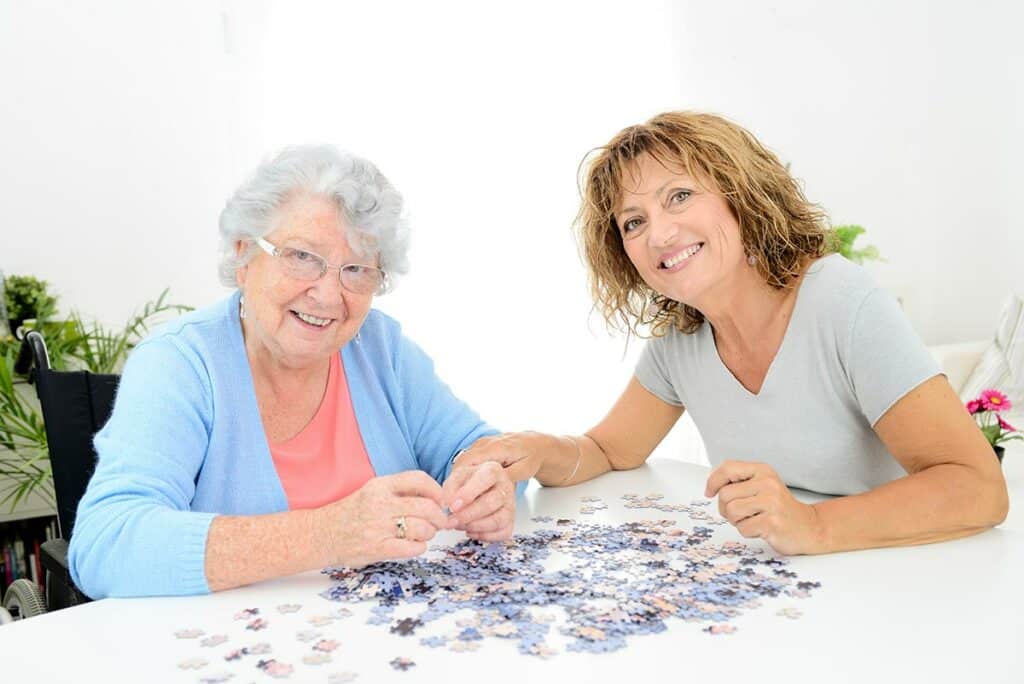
135	533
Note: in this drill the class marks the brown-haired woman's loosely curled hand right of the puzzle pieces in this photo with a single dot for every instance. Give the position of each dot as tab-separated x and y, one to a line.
753	498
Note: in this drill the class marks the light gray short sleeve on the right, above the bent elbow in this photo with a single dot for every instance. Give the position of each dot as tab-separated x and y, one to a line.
886	358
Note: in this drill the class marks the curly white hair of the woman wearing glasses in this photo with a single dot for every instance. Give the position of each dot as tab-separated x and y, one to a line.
371	206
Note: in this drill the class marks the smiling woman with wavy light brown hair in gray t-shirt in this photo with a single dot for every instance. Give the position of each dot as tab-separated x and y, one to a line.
797	369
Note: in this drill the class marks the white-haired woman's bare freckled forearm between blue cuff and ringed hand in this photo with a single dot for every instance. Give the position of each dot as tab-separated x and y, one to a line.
243	550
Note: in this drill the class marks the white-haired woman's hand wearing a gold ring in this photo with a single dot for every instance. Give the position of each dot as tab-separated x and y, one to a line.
390	518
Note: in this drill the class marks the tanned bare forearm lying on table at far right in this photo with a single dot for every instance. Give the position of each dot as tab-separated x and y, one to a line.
944	502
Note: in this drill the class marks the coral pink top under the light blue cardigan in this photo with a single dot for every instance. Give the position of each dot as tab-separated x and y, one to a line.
327	460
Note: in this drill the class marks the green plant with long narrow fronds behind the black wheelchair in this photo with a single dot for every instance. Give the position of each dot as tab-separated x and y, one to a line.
73	345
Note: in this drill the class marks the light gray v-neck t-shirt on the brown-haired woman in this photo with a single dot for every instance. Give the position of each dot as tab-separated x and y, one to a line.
849	355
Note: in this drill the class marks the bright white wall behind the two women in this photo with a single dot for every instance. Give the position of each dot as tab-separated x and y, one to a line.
124	126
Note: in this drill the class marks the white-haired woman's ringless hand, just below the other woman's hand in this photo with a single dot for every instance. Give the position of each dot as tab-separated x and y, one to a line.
482	498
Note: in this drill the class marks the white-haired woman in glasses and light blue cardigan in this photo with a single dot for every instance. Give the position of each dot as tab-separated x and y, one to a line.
288	427
